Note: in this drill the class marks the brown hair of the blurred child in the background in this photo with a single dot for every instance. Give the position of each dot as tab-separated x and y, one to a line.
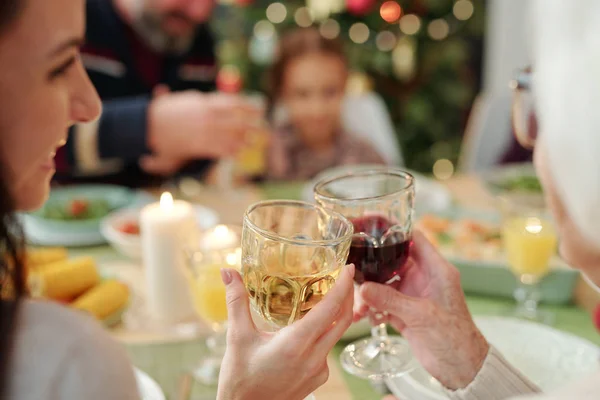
297	43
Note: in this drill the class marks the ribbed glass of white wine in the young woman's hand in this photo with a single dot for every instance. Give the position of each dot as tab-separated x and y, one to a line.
292	253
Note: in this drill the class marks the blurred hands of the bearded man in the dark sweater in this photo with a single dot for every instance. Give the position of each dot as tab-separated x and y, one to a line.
184	126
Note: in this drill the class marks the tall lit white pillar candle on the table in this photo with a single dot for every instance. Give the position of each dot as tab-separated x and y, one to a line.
165	229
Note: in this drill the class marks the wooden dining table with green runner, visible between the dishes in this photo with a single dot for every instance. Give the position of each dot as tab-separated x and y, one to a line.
168	360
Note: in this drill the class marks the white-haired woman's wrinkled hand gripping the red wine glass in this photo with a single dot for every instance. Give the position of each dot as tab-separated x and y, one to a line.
430	311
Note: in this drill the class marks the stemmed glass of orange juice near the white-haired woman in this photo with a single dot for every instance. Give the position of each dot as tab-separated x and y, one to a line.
530	242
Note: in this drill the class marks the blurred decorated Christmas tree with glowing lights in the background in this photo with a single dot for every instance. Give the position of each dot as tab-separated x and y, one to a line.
422	56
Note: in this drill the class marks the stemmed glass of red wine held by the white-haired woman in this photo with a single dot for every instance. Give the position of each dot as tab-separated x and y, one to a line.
380	205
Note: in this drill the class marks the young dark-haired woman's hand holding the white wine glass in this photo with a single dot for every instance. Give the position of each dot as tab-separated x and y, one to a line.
291	363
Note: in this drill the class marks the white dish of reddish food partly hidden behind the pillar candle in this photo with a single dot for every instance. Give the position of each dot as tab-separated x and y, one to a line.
122	228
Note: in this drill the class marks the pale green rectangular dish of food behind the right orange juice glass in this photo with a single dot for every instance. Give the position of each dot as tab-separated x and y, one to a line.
473	242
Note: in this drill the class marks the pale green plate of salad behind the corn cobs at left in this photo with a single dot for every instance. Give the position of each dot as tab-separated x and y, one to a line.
72	215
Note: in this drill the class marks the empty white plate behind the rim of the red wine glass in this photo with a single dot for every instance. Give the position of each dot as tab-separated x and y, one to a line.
431	196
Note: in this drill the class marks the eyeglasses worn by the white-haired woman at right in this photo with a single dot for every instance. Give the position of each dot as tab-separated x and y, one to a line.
523	117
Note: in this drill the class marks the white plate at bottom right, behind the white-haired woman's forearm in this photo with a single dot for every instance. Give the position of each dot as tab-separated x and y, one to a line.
550	358
